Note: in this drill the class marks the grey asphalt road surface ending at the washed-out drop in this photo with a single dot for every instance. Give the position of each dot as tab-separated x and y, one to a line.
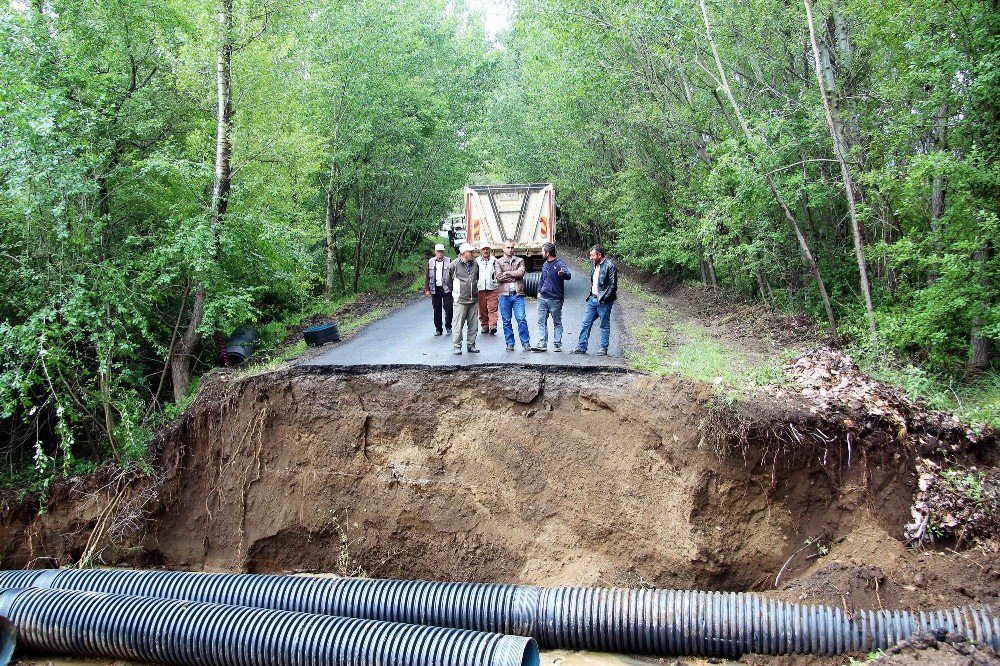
407	337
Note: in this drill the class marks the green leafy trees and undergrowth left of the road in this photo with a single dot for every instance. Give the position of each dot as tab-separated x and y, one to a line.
107	122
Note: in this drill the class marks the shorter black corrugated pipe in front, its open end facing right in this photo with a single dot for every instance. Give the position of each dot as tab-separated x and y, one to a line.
186	633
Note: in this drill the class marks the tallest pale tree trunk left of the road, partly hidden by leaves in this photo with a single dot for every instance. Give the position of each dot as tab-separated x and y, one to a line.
183	357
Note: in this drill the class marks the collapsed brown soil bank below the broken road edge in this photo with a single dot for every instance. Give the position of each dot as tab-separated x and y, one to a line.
506	474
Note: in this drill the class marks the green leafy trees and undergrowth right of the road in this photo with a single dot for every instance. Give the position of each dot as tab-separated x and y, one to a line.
620	103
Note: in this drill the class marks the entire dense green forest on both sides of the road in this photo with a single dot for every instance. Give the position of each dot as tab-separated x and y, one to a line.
171	170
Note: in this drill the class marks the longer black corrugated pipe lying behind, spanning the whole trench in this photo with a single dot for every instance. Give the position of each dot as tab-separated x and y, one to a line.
656	622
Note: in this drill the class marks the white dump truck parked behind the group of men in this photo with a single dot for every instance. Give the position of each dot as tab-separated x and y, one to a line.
524	213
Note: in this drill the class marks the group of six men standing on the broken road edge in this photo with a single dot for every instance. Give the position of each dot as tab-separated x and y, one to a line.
491	289
